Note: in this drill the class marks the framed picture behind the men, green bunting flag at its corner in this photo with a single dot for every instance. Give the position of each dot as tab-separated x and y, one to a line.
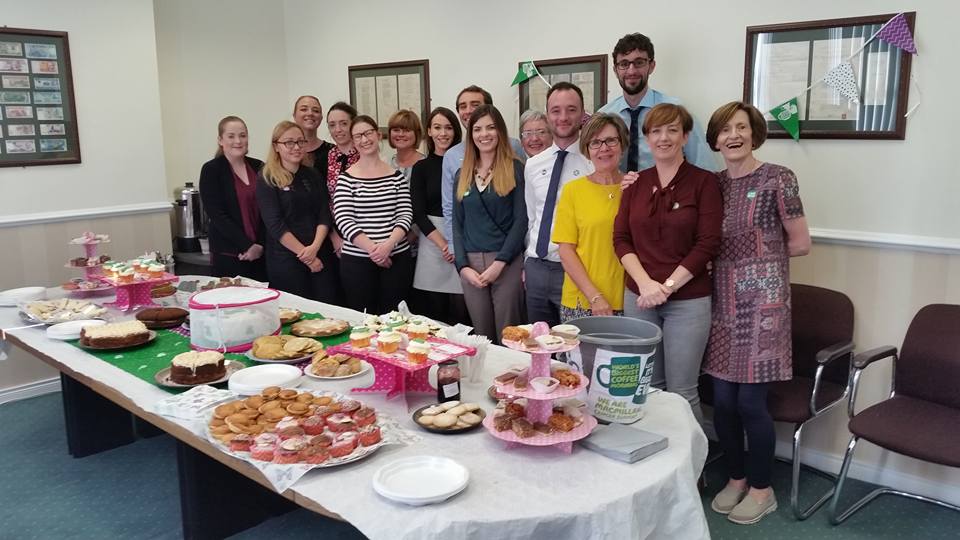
587	72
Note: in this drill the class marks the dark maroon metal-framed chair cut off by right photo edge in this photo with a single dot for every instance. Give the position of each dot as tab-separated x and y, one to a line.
919	419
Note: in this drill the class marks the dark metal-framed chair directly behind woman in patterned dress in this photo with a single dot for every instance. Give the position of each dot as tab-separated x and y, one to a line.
822	329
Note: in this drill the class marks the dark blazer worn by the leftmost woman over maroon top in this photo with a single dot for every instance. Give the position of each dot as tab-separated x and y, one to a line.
224	221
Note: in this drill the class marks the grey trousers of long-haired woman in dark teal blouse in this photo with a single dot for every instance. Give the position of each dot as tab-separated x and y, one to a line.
498	304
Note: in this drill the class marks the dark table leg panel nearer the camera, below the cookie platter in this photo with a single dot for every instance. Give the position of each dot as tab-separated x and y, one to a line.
216	501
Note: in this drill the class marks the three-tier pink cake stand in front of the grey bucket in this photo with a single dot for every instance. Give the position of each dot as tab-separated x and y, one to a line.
540	406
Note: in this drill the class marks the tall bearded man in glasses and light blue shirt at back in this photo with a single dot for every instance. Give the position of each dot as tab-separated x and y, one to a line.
633	63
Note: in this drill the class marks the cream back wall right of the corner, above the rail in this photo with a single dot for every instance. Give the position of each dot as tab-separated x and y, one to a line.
876	186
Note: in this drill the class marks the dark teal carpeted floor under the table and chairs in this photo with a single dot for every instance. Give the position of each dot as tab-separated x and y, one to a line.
132	492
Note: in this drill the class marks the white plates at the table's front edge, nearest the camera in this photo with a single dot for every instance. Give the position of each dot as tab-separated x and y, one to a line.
421	480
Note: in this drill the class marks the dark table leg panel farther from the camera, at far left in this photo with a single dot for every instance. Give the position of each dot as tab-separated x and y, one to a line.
93	422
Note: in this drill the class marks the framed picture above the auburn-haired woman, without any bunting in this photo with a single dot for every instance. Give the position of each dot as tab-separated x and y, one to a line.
379	90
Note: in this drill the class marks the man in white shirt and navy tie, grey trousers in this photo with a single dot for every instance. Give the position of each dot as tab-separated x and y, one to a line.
544	177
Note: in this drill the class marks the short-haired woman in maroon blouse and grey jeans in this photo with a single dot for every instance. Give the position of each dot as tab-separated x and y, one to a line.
667	230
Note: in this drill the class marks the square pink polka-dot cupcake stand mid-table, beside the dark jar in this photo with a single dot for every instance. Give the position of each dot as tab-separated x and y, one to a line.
397	376
